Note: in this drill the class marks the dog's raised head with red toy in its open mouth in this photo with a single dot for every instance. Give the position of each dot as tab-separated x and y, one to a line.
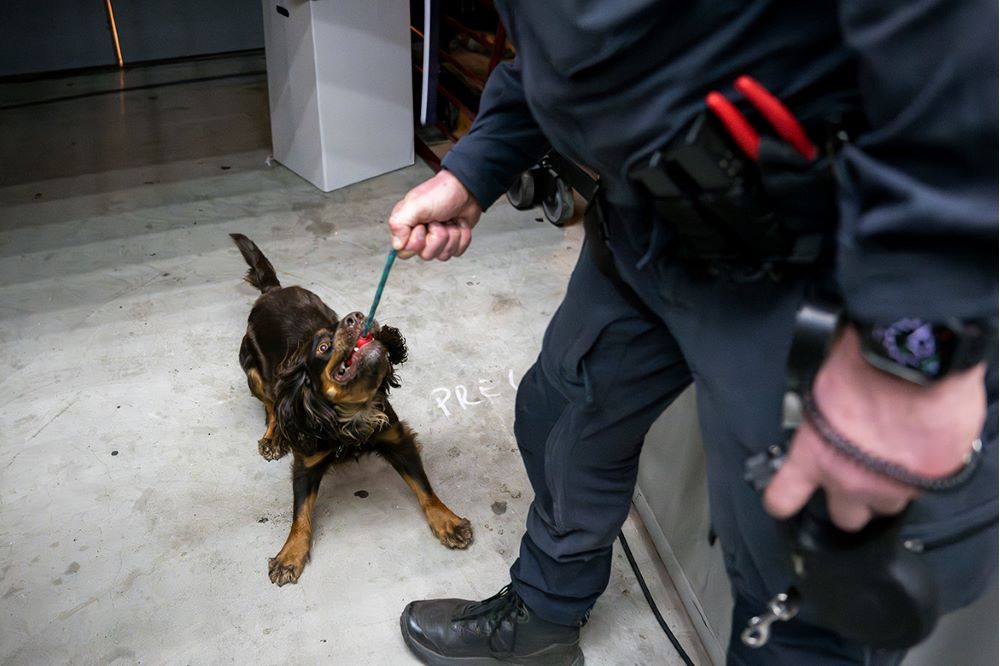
331	388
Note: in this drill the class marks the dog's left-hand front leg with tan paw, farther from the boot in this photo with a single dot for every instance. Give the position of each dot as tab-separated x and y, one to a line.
287	565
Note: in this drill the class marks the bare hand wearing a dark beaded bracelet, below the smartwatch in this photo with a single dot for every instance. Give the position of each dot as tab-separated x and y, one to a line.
928	430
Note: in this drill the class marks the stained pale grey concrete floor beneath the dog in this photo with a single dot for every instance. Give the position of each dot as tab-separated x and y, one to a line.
136	517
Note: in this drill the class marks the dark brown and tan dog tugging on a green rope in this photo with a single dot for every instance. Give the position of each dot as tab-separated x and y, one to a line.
326	403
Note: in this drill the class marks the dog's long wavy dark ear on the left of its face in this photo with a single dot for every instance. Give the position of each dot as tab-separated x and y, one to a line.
301	412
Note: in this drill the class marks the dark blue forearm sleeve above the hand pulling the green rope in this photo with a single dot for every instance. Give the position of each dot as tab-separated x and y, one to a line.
503	141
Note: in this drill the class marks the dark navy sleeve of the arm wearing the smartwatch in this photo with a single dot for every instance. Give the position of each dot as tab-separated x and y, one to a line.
918	233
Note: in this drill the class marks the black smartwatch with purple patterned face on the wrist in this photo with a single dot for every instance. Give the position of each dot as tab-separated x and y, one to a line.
922	351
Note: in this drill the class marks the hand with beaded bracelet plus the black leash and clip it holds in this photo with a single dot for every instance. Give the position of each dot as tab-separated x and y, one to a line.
841	495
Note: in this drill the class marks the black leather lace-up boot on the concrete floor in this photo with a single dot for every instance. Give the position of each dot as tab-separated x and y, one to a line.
498	630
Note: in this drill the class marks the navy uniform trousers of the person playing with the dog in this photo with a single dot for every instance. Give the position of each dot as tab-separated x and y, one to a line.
604	374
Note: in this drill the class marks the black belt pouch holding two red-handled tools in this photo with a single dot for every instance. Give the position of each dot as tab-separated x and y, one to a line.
735	197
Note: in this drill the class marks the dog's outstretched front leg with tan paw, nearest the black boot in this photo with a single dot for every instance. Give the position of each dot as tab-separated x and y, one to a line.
398	445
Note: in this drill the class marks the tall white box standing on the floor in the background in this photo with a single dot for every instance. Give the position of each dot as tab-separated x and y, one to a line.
340	87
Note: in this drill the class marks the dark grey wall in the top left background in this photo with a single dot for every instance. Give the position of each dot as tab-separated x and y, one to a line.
57	35
